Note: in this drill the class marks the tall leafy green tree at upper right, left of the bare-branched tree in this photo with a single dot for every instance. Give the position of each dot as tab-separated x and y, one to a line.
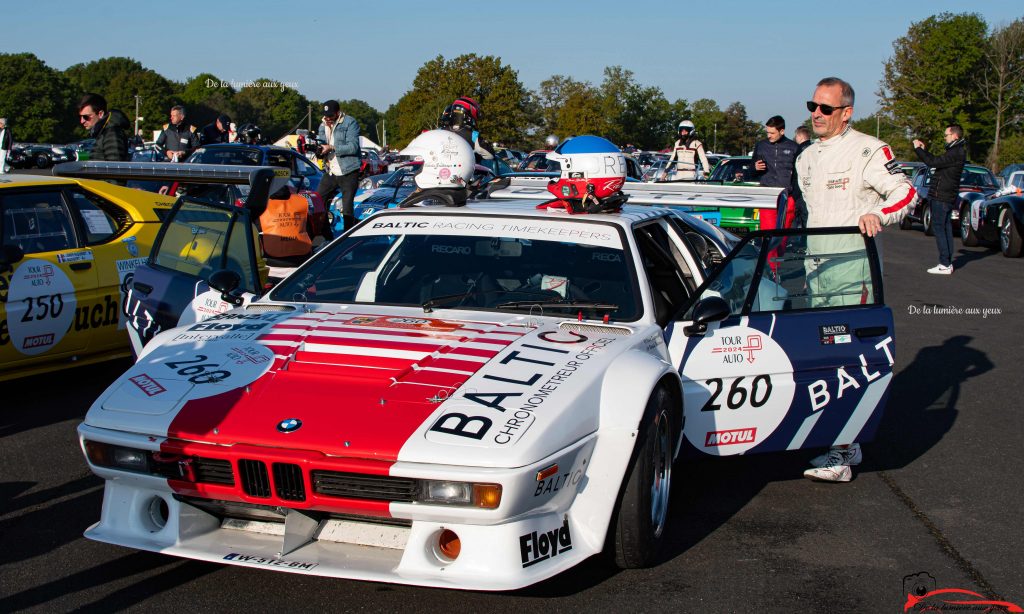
931	79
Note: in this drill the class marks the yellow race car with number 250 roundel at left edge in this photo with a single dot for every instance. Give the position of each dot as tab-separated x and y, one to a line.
70	248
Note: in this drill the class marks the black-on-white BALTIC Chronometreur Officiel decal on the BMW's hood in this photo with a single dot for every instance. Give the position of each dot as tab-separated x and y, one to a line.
505	413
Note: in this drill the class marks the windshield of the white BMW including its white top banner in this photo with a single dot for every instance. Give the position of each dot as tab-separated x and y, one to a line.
534	267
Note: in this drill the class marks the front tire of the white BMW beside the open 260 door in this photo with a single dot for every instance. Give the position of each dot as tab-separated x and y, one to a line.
642	516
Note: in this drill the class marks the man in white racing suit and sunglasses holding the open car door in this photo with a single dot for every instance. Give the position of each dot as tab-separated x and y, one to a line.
848	180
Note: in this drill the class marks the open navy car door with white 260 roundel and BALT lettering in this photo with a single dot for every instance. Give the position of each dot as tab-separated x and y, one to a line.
785	348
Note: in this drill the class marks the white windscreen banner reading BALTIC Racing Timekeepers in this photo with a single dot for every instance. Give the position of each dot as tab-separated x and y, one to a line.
536	230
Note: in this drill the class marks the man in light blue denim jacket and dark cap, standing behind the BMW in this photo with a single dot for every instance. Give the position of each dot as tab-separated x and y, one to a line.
342	159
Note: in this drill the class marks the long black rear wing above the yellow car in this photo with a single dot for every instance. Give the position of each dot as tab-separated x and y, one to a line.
264	182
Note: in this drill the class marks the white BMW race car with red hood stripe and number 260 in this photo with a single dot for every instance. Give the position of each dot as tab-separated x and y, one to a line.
482	398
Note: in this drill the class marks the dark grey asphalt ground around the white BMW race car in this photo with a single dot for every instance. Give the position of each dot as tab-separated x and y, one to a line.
940	494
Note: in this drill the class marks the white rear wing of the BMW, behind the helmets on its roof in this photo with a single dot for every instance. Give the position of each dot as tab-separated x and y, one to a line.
665	195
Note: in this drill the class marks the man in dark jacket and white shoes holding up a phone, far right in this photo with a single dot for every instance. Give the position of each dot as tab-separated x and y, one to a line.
943	195
